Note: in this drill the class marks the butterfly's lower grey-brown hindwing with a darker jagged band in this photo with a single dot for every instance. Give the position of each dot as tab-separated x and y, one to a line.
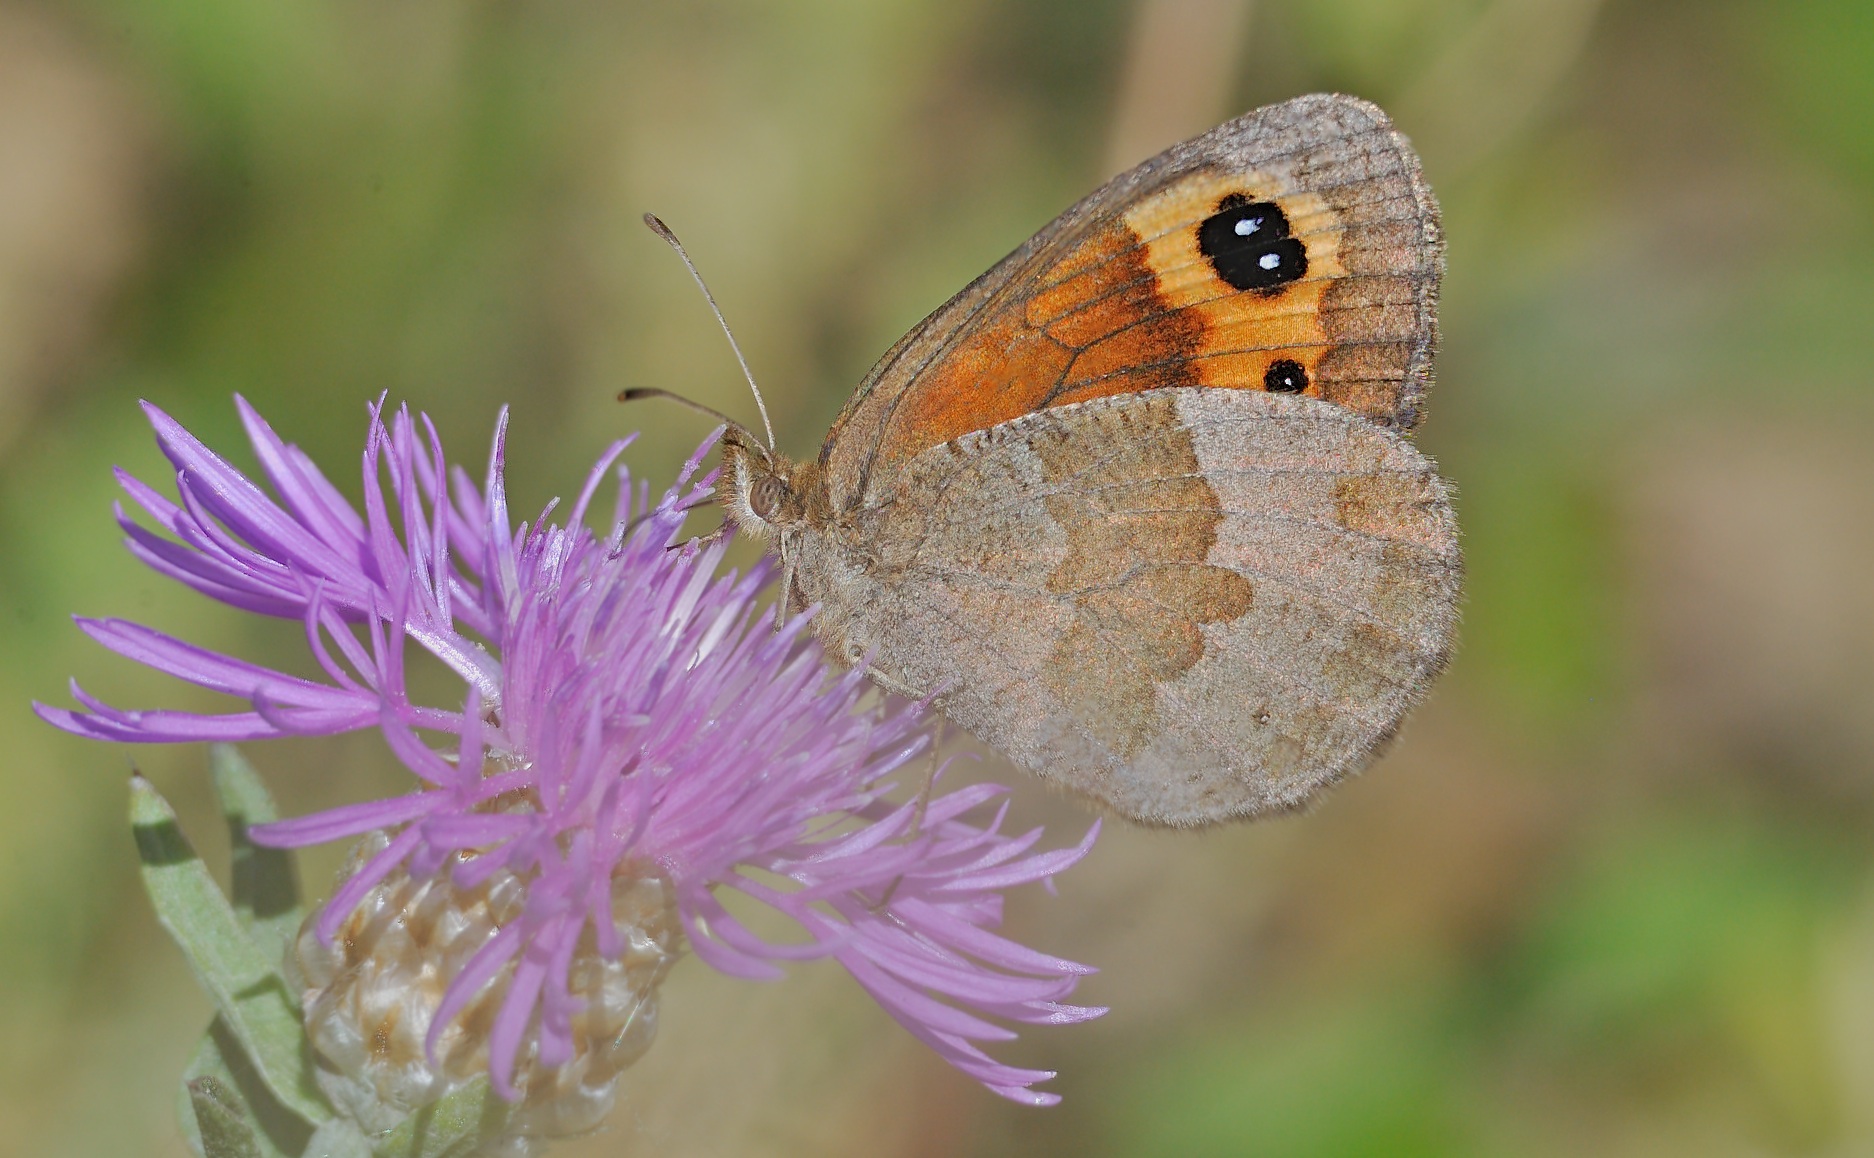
1189	604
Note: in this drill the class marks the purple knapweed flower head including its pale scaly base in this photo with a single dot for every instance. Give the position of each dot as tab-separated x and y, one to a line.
632	750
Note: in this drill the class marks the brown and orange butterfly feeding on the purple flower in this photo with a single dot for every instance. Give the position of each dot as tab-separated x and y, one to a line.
1138	505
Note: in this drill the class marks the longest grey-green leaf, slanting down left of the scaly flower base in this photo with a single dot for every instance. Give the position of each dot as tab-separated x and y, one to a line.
246	988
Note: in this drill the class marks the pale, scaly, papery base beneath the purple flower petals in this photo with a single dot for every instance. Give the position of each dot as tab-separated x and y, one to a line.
372	994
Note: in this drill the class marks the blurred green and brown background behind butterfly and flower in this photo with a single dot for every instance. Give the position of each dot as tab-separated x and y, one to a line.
1613	891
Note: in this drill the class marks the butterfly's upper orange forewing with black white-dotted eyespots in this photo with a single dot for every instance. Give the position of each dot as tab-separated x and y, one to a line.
1133	289
